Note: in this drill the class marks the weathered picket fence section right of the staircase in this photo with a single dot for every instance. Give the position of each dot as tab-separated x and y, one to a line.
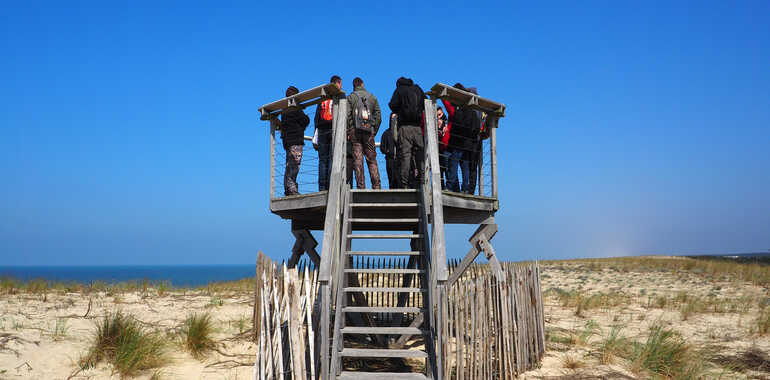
494	329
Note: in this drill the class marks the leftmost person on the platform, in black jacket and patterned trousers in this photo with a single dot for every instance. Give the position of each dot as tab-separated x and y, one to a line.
292	126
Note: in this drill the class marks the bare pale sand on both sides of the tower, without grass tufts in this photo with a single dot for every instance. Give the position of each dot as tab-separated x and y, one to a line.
33	347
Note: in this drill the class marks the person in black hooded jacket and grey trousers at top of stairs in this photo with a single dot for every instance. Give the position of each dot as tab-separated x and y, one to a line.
408	103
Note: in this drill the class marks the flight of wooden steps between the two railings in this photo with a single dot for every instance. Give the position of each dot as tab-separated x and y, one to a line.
358	332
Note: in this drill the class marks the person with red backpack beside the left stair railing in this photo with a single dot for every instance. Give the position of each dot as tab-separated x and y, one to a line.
323	137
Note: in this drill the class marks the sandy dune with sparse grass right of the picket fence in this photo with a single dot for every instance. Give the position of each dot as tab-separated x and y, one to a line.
656	318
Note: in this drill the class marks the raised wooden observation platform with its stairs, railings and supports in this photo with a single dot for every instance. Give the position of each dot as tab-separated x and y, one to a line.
351	327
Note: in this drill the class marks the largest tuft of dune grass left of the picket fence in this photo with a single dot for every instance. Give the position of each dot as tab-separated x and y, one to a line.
126	345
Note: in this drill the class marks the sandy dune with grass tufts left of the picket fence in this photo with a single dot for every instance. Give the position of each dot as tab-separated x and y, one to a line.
142	329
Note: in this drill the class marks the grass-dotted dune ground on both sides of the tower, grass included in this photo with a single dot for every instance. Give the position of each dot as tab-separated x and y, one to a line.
620	318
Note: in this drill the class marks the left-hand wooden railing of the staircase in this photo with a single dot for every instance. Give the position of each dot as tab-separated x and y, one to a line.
332	255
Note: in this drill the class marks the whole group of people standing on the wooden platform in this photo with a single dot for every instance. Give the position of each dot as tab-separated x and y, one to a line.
460	132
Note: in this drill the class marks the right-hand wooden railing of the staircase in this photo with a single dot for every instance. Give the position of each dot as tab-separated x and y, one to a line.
436	264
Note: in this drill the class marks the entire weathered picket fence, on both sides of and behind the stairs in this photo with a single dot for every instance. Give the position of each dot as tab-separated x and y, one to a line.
493	329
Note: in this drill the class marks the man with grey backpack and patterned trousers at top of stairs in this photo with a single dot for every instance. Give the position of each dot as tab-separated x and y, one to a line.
364	118
